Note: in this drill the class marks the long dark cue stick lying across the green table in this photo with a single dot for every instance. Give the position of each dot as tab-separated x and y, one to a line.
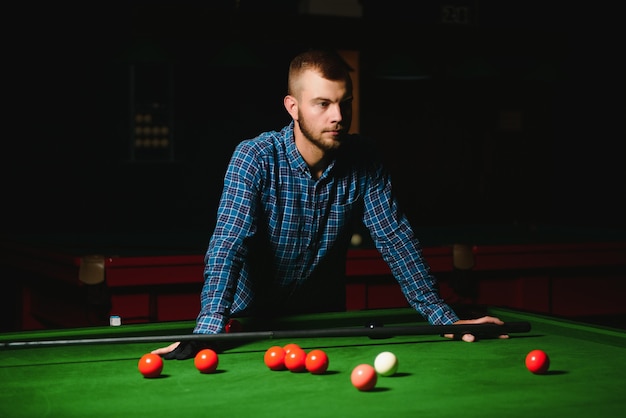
380	332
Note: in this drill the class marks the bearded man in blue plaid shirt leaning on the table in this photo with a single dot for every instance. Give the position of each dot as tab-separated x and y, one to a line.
286	211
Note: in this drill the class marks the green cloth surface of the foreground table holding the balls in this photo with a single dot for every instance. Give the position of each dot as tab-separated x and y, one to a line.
436	376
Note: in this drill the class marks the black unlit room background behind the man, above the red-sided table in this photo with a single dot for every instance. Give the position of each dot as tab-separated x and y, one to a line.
521	120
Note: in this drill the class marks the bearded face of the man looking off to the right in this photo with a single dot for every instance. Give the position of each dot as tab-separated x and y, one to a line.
324	110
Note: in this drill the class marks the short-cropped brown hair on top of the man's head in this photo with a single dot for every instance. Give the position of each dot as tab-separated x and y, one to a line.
328	63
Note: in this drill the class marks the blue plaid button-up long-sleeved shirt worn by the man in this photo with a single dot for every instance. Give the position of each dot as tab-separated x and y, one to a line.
269	197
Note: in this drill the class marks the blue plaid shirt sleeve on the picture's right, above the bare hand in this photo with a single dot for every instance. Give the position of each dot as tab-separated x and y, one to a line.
395	239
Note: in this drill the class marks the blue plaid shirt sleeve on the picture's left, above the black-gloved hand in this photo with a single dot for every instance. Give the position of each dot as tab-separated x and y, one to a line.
224	275
